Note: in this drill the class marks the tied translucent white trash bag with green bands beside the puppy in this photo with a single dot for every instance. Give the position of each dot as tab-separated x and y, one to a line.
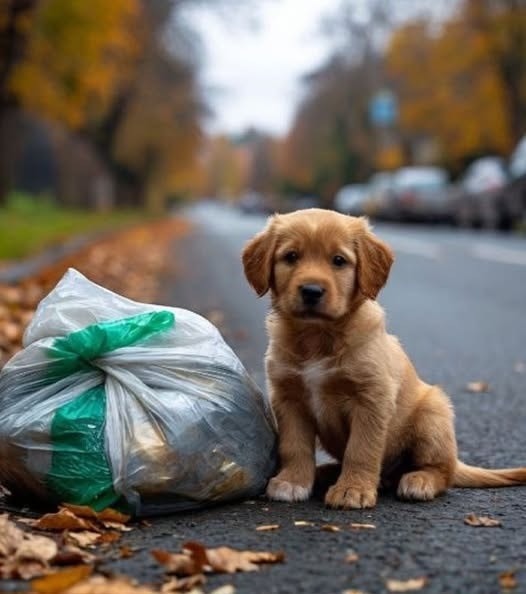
114	403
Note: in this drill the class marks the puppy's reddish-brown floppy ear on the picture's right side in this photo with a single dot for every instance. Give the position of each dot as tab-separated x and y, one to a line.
374	263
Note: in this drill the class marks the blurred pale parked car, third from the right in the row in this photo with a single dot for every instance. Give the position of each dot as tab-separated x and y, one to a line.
419	194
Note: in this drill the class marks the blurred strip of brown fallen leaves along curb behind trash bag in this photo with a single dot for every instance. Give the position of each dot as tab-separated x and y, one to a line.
130	262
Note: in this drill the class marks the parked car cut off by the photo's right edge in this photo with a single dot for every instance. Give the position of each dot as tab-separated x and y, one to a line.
513	201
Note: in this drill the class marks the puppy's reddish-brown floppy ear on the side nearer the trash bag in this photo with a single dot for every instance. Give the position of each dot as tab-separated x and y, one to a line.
257	259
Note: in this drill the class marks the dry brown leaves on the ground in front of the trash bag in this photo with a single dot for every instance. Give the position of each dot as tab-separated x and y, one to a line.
63	553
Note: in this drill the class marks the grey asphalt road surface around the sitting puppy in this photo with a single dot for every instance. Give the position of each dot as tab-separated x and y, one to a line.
457	300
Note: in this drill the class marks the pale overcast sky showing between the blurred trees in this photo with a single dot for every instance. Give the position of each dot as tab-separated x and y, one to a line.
251	73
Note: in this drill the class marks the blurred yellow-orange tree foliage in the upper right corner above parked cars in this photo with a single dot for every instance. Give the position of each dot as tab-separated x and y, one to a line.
465	83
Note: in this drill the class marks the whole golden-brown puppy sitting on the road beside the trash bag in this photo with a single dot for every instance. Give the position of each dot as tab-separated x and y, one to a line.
334	373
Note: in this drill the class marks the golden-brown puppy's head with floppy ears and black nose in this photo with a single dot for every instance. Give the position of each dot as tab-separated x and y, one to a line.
316	263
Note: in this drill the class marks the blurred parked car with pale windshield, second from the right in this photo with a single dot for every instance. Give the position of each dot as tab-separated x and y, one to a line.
477	200
